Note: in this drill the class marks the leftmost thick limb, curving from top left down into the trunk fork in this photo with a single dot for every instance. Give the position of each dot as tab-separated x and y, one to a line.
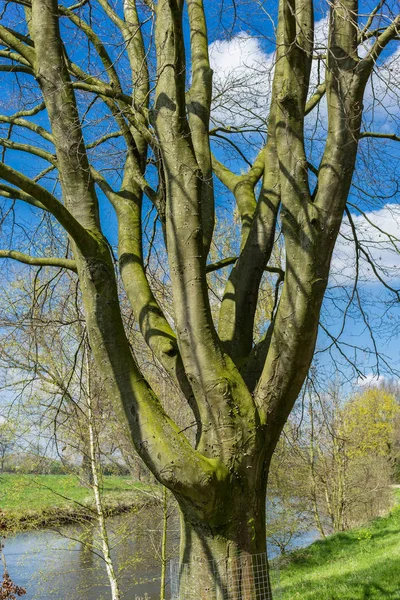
150	427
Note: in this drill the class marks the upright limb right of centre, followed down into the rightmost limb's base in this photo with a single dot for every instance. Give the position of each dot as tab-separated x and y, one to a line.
291	340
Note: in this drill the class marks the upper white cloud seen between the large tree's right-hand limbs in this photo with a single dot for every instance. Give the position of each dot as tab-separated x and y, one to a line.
243	74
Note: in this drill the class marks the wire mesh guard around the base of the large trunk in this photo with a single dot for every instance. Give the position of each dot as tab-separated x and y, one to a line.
245	577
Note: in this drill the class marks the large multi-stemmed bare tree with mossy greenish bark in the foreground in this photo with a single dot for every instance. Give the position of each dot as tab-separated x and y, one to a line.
156	86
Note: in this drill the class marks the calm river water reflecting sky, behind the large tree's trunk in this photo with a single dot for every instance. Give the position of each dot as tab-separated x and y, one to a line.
67	564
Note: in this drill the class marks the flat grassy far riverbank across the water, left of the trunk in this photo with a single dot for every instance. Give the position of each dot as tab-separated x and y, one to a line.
35	501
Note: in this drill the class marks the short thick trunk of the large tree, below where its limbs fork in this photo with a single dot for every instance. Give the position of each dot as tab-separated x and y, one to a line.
228	561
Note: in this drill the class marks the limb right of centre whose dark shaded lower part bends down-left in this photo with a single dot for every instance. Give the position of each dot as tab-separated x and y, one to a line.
287	183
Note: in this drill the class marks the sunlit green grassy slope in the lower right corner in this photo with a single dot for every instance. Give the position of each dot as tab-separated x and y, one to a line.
360	564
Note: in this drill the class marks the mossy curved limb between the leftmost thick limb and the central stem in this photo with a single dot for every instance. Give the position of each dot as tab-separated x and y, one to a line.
127	203
